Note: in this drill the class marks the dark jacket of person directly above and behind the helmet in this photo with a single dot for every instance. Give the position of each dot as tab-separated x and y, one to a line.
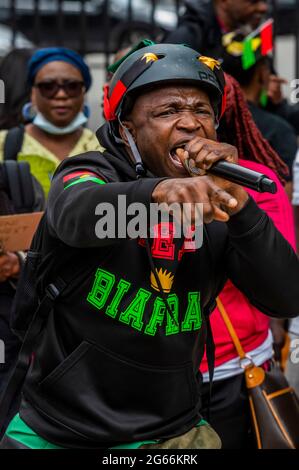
199	28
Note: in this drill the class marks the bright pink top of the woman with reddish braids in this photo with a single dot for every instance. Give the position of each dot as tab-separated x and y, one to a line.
251	325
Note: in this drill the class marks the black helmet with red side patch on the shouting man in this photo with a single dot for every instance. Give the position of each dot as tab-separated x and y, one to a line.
161	63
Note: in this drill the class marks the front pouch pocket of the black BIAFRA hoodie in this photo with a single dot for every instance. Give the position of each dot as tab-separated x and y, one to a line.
108	397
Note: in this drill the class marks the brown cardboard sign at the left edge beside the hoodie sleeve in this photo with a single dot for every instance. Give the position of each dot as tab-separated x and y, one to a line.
16	231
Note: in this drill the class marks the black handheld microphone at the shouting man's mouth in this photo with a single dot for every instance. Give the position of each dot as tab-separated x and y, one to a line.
243	176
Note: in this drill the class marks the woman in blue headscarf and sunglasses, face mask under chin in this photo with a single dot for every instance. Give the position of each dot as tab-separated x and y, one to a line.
59	79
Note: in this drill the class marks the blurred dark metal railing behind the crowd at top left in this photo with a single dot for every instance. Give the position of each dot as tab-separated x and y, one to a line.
87	25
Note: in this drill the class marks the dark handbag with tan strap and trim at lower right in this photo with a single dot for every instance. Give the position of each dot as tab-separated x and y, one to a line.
274	406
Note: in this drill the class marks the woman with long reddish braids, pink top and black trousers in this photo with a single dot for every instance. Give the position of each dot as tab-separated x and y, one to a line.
229	407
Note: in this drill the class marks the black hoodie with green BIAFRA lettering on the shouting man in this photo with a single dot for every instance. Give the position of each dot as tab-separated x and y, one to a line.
112	365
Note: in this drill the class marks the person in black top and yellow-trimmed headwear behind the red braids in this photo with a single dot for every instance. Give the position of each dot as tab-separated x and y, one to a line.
254	78
